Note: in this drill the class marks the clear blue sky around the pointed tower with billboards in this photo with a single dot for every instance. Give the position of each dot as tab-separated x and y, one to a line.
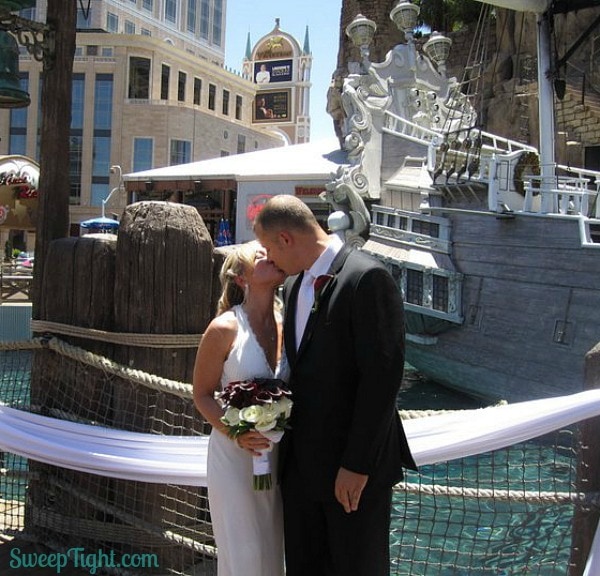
323	20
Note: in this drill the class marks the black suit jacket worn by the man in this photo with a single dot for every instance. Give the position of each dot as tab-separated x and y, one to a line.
345	377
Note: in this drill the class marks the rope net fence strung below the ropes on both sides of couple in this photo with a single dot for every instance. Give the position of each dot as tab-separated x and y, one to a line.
508	511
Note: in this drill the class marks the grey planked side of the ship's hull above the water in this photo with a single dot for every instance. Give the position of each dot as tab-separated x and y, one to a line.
531	309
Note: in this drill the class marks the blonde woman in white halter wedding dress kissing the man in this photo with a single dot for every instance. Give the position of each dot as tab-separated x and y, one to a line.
244	341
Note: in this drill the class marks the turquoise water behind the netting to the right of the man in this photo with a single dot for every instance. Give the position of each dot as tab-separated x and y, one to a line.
439	535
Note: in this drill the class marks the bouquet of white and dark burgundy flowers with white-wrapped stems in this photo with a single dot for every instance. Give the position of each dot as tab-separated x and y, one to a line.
261	404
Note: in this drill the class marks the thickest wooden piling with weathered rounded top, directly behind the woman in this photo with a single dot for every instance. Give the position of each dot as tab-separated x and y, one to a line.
164	276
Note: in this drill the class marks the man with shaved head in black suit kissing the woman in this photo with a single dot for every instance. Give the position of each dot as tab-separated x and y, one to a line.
344	338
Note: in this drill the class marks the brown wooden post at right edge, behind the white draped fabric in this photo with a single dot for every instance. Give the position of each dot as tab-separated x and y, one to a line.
585	520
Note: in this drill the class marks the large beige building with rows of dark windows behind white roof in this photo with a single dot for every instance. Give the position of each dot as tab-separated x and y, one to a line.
149	90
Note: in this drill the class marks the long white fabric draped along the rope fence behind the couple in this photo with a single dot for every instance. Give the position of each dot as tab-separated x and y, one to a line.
182	459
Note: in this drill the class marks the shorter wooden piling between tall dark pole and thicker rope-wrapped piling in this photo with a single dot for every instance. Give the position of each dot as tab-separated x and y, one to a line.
78	291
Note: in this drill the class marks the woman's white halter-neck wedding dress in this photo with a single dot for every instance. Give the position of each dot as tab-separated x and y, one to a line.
247	524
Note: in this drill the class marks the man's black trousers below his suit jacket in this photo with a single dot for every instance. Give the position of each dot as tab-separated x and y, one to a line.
323	540
